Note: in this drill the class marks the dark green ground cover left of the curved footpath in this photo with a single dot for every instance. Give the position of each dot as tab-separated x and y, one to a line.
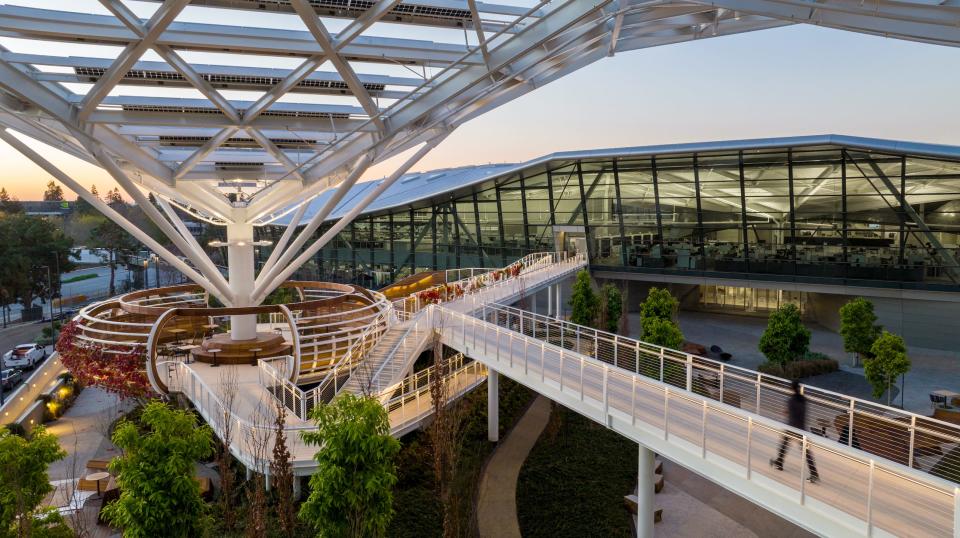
417	508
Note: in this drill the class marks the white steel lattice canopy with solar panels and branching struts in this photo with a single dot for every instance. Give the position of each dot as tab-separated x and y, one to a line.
178	108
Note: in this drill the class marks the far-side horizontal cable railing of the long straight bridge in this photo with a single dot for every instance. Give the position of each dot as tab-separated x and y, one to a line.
906	438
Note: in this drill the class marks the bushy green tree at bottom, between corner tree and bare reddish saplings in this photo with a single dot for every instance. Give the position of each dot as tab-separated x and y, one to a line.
158	493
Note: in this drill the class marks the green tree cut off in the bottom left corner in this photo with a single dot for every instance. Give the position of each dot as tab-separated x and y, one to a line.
24	483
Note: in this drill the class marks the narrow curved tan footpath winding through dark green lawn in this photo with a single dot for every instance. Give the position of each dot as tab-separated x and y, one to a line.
497	502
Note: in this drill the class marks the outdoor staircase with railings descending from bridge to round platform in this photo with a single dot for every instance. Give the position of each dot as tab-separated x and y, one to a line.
391	359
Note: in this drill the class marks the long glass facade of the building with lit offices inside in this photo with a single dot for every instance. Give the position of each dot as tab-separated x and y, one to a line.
828	213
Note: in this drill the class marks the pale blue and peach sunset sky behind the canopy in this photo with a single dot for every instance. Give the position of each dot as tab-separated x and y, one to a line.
790	81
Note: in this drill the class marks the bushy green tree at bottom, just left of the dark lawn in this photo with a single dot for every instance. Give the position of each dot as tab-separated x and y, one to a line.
351	491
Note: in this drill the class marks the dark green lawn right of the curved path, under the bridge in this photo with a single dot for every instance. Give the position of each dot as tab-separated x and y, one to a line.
574	480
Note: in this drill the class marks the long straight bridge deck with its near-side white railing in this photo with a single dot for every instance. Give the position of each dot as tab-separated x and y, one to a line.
862	492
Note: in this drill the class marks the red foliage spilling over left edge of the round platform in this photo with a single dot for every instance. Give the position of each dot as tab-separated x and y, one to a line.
115	369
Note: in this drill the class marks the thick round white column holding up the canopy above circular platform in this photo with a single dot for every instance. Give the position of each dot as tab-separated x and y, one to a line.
241	272
